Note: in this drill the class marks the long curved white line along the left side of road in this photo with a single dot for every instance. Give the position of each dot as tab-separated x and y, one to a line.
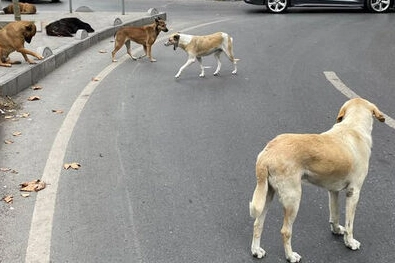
39	243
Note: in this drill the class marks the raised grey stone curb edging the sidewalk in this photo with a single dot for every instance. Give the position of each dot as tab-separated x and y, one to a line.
24	79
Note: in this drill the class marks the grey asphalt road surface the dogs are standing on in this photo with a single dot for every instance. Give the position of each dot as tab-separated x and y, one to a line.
167	166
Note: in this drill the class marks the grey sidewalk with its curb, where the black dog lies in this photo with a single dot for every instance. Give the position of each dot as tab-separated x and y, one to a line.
20	76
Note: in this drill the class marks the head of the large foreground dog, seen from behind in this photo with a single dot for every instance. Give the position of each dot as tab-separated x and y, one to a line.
358	105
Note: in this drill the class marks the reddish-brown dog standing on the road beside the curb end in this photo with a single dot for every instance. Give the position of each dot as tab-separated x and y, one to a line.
145	36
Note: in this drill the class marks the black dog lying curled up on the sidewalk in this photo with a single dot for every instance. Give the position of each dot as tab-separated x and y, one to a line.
66	27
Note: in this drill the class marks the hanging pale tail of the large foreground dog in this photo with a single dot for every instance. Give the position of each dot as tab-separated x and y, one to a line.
259	197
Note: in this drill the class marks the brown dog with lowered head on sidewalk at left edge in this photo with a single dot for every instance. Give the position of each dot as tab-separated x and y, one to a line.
12	38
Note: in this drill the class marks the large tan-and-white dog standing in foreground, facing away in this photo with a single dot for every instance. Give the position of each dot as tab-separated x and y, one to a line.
336	160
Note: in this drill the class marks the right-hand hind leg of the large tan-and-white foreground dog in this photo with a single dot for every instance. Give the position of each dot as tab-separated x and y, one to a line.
290	198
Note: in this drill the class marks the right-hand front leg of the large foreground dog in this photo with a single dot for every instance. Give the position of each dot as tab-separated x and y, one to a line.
352	197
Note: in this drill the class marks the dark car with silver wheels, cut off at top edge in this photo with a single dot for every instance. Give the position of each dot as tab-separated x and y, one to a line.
280	6
